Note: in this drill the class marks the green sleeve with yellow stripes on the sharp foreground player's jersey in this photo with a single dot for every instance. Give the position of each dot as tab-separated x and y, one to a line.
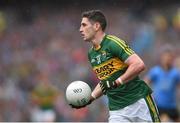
120	49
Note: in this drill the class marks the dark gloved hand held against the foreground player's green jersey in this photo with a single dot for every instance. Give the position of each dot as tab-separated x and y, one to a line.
107	85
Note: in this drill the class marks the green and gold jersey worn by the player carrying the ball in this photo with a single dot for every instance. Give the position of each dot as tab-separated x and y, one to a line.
108	64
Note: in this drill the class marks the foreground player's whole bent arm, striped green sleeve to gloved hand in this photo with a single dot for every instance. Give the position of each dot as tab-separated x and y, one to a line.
134	63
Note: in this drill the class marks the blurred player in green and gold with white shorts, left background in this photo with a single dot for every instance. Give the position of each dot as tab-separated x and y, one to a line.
44	96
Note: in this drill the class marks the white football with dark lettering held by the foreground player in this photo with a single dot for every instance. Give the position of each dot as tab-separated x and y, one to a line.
78	94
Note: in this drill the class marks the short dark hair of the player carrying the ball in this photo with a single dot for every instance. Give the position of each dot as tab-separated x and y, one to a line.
96	16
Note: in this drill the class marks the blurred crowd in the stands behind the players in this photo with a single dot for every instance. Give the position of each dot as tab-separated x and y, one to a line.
41	52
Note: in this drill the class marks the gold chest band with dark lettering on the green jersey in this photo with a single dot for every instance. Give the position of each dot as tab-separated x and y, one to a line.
106	69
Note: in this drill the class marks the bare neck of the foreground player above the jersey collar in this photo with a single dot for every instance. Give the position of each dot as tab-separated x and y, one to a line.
98	39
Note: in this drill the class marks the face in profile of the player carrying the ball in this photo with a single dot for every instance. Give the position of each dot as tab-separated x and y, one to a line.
87	29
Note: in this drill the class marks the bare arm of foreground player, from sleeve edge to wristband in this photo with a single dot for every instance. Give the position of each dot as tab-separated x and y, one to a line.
135	66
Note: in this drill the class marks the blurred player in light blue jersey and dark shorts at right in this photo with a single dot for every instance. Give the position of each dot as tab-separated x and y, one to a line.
164	79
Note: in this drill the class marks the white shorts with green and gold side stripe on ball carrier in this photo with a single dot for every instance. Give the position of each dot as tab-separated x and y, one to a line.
136	112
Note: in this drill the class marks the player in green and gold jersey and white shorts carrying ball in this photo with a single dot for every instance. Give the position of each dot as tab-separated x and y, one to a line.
117	66
